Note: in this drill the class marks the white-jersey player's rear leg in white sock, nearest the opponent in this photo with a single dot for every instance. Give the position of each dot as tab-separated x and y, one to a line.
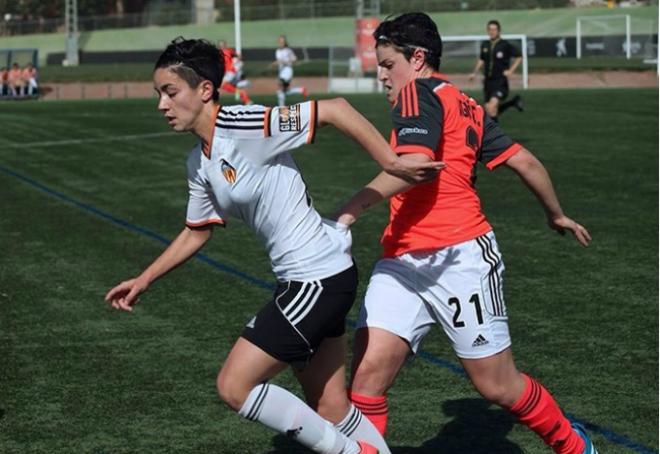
324	384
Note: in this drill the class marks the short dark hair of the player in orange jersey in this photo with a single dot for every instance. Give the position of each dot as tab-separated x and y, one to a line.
410	31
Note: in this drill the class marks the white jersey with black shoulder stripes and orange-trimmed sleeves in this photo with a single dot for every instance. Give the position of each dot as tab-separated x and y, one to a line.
247	173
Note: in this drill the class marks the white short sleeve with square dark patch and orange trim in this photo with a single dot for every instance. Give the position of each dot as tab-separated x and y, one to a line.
285	128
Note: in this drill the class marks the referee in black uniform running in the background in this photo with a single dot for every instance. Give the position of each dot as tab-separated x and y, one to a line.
495	57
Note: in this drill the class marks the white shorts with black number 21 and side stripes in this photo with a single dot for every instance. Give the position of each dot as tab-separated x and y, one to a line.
459	287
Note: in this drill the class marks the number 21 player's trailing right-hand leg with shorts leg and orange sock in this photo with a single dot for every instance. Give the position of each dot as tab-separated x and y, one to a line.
474	318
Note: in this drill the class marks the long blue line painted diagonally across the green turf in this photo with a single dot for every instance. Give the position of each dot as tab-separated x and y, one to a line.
453	367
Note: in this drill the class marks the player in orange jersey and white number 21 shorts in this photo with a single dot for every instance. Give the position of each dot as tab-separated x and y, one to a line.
441	261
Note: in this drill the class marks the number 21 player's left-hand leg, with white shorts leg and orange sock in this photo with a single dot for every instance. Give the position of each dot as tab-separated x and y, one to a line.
392	322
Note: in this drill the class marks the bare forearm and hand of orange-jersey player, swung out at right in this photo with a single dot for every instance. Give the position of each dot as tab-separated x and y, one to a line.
536	178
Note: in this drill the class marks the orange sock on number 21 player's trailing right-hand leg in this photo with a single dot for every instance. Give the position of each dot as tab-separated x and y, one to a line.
537	409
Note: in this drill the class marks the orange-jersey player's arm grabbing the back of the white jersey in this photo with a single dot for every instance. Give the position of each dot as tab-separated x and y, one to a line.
380	188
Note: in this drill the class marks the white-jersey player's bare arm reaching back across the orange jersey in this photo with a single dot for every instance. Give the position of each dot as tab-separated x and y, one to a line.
339	113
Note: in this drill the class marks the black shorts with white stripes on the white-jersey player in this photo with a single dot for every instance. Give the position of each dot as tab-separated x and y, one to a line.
301	315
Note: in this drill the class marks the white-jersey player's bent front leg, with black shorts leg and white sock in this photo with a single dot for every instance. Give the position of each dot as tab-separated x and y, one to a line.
268	344
